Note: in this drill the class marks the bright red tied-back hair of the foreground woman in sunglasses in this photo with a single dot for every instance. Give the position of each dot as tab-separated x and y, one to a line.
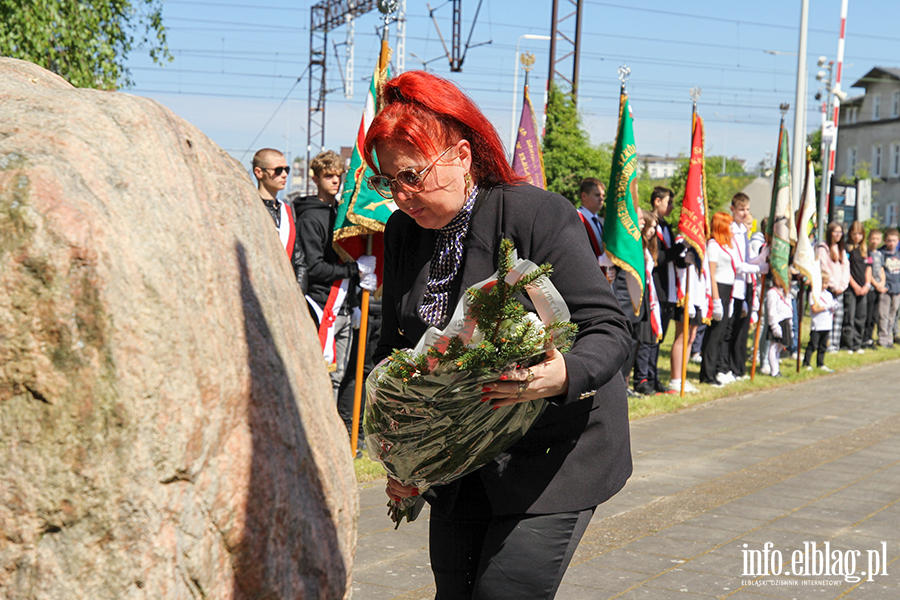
429	113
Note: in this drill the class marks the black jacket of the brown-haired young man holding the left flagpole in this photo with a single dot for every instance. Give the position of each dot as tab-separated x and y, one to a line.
315	230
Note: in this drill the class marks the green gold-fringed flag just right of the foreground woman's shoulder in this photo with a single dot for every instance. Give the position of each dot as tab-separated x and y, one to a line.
621	233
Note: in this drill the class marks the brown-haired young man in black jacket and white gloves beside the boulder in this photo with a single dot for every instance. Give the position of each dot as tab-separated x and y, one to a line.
332	283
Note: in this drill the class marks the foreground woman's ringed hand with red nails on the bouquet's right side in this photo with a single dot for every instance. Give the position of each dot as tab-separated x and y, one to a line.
543	380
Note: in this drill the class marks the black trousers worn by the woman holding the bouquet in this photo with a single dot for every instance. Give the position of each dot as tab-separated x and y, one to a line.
476	555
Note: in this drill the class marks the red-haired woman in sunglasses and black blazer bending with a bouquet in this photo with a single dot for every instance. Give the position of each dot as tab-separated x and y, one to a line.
509	529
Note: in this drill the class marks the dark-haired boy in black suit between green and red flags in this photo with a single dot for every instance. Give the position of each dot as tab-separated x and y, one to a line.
668	258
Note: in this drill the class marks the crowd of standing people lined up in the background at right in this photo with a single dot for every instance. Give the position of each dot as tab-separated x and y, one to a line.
859	295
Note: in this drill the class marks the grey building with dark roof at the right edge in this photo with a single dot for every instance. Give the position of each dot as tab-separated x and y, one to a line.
869	140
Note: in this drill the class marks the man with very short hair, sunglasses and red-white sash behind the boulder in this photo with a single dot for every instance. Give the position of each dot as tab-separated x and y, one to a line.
271	171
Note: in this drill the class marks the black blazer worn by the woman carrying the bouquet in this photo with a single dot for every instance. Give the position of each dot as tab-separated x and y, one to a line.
578	454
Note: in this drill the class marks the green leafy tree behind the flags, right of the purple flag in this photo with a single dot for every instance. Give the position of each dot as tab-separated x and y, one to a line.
569	156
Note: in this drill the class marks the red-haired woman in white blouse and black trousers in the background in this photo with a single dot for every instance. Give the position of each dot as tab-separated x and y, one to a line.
722	257
